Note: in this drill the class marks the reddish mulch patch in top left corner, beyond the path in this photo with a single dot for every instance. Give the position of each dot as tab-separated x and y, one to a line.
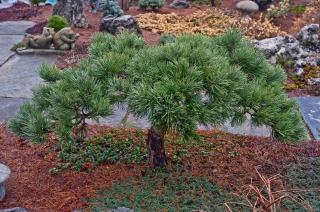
19	11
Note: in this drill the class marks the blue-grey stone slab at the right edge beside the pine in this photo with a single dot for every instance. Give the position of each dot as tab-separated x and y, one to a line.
310	109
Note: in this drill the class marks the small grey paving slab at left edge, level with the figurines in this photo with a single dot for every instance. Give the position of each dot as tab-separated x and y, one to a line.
6	43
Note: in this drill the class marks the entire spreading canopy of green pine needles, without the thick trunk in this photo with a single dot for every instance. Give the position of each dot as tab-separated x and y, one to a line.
188	81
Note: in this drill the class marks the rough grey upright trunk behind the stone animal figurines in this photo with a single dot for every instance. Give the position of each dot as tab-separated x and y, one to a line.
72	10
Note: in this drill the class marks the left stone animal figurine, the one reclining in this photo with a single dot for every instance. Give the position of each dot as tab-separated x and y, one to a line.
43	41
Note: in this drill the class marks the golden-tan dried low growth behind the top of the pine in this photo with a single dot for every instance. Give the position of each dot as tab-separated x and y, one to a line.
207	22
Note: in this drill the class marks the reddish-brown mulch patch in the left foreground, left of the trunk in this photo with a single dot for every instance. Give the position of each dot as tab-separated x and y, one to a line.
32	186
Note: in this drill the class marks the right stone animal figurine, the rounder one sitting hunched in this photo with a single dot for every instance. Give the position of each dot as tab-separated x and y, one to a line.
65	39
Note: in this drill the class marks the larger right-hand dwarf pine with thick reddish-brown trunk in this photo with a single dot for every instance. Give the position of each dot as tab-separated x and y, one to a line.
201	80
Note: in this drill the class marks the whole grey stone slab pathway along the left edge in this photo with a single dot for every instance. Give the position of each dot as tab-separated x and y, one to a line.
18	74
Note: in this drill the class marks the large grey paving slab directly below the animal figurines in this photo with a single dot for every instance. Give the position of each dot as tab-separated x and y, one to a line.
20	74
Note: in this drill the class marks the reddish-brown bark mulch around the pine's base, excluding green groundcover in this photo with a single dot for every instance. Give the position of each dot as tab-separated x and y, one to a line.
230	163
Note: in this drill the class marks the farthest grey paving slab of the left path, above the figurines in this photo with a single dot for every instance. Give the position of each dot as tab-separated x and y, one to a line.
15	27
